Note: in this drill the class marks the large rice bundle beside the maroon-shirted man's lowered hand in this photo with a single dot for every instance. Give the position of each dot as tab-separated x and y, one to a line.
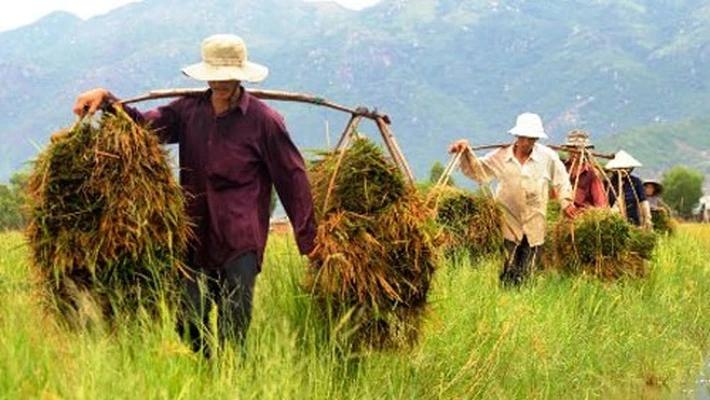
375	249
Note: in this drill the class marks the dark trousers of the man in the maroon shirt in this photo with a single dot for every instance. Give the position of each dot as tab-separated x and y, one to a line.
229	291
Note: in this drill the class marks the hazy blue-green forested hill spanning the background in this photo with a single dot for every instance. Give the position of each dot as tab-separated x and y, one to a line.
441	69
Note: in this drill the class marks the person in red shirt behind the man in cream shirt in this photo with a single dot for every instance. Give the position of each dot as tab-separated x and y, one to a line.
585	180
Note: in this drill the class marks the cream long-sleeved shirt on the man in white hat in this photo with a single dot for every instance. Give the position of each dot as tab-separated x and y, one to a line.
523	190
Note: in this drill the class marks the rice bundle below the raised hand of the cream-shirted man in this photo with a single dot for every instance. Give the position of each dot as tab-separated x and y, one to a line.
471	223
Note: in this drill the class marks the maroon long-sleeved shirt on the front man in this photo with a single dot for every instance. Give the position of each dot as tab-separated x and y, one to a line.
228	164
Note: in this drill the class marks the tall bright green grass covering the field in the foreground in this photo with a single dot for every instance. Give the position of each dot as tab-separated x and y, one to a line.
559	337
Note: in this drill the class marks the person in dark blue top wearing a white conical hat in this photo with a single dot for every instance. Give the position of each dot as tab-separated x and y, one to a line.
626	190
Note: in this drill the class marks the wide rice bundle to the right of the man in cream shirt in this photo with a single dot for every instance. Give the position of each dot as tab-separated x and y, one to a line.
602	243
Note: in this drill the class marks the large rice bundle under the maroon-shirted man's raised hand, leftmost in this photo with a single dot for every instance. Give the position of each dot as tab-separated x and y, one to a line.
107	218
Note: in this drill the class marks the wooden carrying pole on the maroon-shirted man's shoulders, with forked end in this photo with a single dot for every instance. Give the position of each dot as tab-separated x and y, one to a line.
356	115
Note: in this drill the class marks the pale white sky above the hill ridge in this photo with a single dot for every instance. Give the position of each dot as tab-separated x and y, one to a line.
14	14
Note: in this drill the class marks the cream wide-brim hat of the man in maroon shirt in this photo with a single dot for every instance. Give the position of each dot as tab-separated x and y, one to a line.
224	58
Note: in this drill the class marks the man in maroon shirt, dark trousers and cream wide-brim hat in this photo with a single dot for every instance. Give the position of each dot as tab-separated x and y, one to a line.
232	149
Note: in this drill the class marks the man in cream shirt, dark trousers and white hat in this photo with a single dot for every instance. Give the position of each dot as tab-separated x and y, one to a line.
524	171
